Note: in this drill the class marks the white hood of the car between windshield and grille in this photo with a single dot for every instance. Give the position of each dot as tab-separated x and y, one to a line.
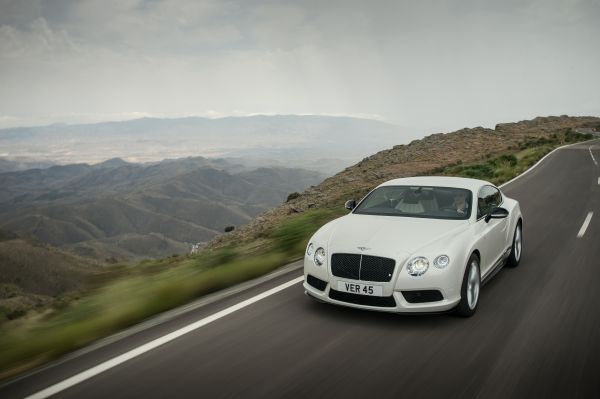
392	235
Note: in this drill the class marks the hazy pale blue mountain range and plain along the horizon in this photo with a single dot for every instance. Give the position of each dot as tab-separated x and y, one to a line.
287	140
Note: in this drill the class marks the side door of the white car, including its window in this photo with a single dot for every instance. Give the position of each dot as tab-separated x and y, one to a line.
493	232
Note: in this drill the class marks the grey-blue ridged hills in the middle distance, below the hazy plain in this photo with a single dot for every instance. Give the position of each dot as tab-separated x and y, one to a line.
117	210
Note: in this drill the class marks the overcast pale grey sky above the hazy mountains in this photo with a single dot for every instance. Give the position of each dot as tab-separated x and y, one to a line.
439	65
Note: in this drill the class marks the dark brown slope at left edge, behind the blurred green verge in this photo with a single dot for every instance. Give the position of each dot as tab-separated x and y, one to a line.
34	274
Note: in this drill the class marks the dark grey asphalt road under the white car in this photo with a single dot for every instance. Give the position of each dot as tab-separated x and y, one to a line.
536	332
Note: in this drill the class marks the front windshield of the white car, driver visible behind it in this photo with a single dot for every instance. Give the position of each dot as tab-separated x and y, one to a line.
418	201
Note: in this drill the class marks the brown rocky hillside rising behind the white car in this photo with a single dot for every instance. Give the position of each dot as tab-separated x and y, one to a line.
420	157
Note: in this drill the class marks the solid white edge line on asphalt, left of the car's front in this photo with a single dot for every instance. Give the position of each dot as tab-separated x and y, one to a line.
102	367
